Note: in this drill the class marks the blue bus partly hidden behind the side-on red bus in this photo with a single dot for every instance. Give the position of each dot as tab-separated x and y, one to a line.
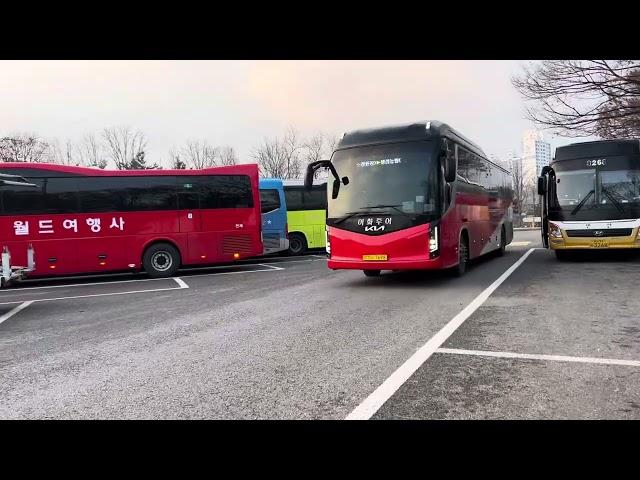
274	216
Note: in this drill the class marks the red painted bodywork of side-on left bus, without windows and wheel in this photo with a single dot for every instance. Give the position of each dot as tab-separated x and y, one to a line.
206	236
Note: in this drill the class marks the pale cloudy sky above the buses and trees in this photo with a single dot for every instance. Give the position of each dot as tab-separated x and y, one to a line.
239	103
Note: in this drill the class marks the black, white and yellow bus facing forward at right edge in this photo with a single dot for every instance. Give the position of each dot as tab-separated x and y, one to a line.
591	197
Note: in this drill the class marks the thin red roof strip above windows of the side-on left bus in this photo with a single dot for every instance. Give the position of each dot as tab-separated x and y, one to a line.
63	170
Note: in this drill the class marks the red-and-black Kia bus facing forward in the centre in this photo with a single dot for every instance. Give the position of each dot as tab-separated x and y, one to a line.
418	196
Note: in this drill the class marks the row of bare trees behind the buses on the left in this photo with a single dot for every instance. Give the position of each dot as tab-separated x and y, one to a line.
280	157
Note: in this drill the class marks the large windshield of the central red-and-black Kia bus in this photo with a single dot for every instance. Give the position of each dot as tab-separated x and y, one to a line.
392	177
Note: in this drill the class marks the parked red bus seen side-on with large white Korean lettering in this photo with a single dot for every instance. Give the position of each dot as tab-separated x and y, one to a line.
85	220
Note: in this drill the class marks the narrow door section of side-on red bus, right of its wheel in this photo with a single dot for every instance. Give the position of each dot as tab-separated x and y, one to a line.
190	219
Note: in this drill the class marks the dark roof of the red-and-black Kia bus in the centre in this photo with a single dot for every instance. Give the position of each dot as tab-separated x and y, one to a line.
424	130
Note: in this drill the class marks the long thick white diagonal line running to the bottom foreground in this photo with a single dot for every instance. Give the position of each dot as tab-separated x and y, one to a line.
380	395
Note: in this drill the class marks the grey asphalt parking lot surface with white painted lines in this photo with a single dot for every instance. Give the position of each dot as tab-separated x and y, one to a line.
288	338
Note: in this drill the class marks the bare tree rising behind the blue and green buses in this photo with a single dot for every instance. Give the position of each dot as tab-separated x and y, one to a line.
280	158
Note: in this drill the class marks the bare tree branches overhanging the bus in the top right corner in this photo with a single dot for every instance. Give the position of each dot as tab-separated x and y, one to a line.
583	97
